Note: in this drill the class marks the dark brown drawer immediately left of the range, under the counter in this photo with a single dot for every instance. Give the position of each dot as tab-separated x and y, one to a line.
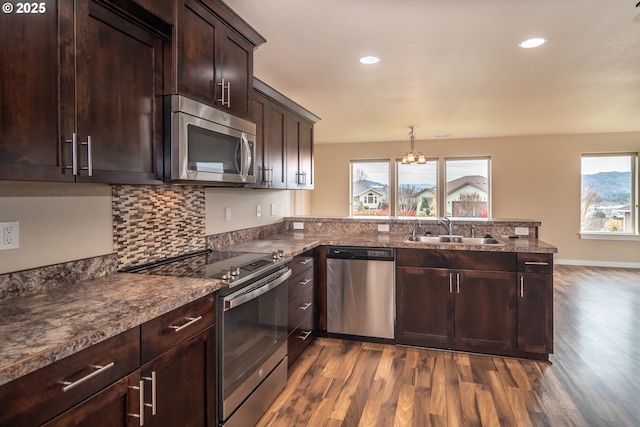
161	334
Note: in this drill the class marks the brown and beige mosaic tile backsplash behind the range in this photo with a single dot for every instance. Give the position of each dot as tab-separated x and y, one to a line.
152	223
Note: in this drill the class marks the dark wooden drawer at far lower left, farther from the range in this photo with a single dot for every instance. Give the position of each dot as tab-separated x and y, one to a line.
47	392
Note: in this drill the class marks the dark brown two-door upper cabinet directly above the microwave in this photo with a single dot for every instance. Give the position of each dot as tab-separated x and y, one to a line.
213	56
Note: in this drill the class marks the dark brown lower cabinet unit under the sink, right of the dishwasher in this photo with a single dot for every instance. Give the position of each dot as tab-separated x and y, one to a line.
492	303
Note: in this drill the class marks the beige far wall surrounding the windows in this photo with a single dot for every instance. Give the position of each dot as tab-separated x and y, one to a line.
533	177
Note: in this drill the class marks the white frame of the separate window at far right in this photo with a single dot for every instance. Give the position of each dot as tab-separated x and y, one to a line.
634	235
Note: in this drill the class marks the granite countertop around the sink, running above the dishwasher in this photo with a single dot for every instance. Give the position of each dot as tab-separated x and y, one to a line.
297	242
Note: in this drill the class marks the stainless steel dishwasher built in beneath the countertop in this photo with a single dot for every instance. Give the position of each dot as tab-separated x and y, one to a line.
361	291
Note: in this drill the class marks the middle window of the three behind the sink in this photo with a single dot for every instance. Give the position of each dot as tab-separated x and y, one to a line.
417	192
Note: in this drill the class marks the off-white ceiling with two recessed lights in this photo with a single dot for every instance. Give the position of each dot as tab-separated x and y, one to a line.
452	67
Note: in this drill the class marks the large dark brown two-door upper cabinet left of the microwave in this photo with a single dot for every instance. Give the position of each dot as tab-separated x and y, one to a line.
80	93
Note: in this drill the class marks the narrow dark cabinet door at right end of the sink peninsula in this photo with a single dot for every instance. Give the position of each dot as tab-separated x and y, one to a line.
535	313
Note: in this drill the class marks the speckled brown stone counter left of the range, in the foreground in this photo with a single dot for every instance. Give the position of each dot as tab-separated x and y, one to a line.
39	329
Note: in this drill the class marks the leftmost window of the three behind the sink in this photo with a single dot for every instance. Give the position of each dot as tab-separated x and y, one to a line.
370	187
